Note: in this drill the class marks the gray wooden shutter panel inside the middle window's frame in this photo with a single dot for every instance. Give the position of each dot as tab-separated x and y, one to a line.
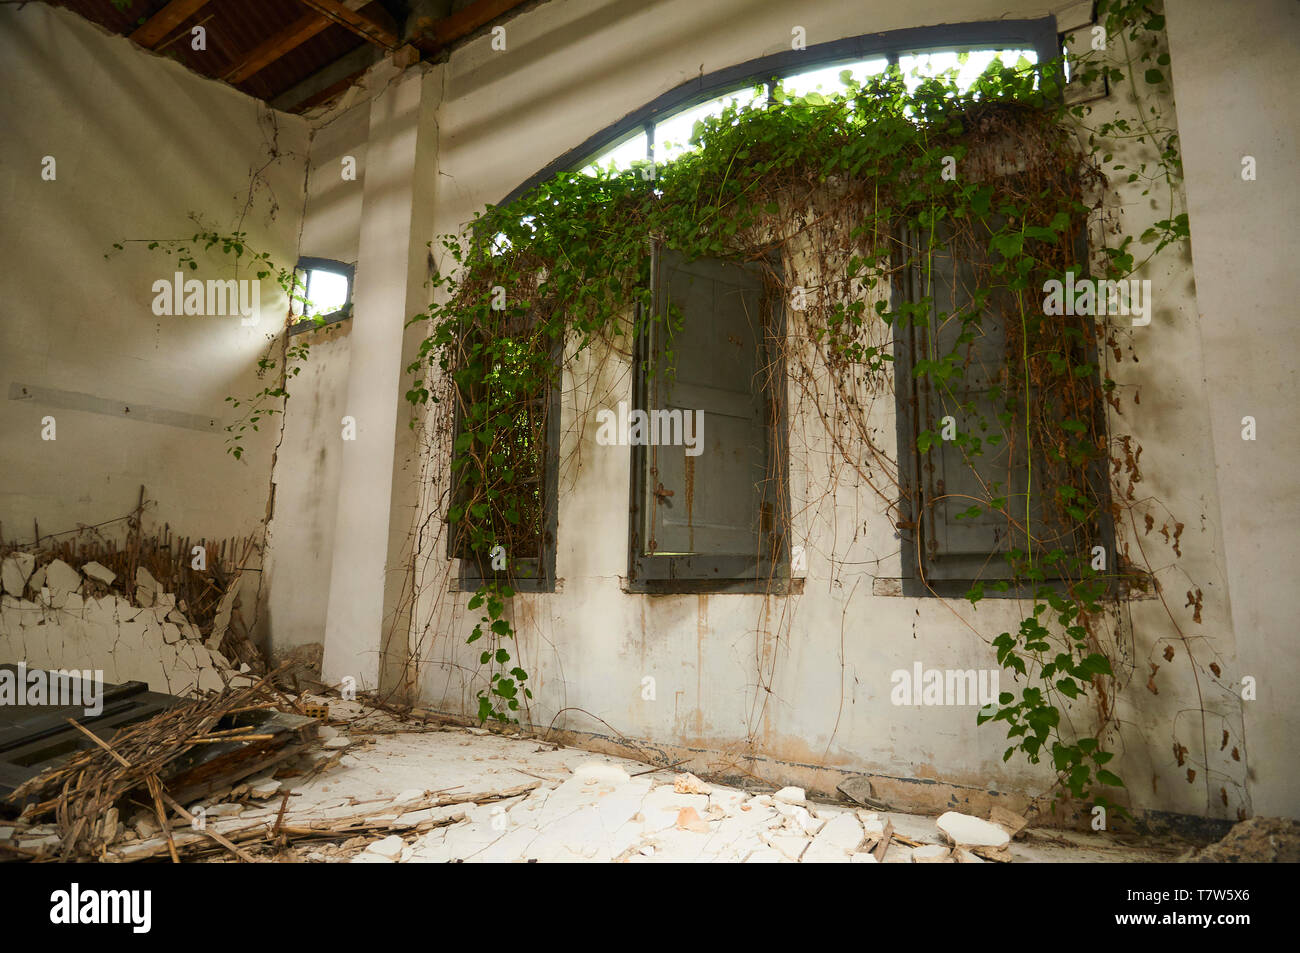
712	504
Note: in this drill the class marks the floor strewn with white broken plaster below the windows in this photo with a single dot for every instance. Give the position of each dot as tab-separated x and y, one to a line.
374	790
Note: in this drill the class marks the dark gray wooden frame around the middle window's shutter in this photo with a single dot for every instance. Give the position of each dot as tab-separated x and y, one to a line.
704	573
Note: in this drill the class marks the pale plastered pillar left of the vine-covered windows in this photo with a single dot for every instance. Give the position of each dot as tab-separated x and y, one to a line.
365	614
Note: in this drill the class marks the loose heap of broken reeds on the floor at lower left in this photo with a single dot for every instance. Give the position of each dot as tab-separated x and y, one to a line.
83	790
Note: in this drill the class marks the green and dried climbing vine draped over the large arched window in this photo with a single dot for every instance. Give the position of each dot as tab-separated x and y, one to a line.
842	190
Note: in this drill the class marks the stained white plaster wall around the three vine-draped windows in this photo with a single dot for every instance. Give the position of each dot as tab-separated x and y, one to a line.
808	679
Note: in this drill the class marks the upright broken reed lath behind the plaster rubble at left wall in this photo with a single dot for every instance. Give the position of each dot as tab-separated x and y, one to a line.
170	561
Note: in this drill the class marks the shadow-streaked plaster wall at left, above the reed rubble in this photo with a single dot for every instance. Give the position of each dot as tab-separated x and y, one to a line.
140	144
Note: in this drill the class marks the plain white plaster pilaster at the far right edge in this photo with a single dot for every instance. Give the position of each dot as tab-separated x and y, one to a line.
1237	98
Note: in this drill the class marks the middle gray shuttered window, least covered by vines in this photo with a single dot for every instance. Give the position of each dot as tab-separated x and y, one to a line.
709	497
